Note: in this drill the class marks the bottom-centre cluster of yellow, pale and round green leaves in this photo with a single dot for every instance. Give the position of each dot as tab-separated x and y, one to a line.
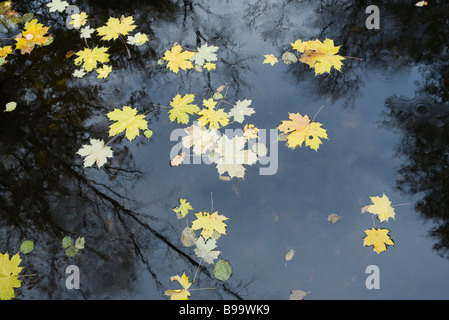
212	226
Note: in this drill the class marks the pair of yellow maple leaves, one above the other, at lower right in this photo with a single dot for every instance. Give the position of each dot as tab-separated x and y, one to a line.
378	237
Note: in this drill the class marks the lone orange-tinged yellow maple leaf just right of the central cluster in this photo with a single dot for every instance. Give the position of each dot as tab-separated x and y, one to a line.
301	130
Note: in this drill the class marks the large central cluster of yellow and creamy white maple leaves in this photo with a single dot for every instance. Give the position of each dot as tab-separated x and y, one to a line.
203	136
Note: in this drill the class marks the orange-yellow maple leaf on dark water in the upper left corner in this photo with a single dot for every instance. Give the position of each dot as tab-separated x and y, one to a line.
33	34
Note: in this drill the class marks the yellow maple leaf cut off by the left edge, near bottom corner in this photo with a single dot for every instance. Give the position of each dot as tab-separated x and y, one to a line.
9	272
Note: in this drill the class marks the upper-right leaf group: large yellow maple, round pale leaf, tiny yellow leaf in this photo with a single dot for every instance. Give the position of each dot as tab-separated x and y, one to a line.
321	56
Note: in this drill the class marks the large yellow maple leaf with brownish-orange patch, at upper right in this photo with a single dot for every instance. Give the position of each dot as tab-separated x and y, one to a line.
321	56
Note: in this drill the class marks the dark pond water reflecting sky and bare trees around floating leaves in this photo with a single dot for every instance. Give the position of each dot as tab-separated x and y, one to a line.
387	120
